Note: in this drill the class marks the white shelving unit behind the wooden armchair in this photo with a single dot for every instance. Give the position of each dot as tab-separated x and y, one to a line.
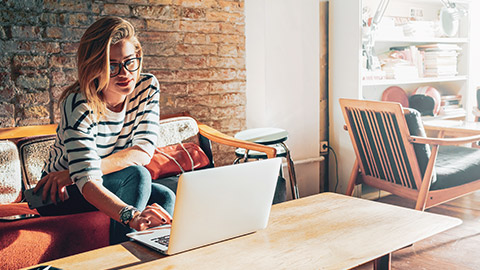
346	66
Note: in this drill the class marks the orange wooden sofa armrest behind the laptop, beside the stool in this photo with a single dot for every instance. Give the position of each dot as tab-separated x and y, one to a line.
219	137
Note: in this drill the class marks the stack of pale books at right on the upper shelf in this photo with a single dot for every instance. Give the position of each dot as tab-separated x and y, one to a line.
440	59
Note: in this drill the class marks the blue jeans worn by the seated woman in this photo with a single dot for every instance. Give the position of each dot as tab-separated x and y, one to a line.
133	185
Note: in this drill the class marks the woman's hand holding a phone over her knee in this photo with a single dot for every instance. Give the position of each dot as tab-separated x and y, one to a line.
54	183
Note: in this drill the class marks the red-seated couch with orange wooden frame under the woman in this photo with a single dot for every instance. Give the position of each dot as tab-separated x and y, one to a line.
23	151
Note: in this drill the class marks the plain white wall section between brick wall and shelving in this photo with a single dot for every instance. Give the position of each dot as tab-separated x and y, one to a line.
283	71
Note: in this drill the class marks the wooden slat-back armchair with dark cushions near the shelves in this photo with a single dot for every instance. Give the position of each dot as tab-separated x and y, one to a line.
394	154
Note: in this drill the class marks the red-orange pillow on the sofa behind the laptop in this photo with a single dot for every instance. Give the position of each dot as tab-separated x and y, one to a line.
175	159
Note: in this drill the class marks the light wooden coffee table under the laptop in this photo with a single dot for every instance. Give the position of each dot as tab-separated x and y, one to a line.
324	231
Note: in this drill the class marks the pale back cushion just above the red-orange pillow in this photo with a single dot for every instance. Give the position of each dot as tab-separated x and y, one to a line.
176	130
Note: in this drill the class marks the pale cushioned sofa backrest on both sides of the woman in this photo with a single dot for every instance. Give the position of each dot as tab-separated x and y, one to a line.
22	158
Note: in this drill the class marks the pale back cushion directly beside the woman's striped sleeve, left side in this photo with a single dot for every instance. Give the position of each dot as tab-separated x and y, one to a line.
34	151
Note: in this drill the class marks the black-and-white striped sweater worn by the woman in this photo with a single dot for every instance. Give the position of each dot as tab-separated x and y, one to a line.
82	141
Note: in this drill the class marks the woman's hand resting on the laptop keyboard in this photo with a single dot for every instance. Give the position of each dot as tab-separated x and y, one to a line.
153	216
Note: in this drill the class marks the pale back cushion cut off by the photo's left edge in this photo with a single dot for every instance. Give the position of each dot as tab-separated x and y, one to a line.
10	173
